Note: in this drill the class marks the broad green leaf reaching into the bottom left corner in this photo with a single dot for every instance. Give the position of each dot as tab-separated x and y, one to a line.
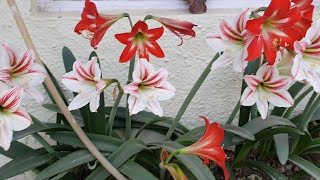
24	163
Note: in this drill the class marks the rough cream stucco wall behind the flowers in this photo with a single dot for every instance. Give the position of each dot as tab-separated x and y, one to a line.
51	32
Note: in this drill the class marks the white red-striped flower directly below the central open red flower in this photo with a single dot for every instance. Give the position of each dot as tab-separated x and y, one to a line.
148	88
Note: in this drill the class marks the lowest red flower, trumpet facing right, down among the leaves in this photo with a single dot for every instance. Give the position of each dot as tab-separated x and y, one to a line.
208	147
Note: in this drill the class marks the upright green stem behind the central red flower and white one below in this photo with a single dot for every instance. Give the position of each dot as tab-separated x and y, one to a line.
131	68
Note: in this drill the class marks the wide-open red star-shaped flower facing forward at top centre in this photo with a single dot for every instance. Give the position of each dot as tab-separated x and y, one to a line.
141	40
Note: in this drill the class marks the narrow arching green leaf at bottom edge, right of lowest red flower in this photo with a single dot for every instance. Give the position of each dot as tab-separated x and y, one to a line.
273	173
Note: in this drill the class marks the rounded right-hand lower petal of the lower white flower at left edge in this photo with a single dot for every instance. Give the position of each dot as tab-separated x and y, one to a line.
19	120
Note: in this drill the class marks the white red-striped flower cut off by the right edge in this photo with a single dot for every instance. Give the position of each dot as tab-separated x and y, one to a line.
307	60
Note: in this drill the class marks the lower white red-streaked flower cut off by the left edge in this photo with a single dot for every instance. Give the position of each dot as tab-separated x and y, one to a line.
12	117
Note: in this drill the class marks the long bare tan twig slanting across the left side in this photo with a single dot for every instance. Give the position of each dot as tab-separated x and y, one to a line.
48	82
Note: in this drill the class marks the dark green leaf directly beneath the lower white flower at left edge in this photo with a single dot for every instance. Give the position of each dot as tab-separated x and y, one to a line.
16	149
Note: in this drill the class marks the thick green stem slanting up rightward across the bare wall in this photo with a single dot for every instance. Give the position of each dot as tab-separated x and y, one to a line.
190	96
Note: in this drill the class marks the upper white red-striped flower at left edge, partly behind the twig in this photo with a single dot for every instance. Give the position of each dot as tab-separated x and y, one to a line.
22	72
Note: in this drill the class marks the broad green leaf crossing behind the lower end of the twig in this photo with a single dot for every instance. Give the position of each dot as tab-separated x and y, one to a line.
119	157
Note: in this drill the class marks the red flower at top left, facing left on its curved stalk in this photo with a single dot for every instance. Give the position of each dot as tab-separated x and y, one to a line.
94	25
